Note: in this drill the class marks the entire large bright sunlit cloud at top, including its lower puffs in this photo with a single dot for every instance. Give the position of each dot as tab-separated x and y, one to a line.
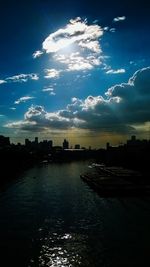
74	44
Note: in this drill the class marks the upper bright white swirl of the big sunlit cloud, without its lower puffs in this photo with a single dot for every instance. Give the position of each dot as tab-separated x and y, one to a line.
75	32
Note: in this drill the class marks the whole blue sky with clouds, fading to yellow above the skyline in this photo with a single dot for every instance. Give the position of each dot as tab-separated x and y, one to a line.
78	70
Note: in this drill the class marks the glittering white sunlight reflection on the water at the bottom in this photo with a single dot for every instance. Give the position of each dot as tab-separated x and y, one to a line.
61	250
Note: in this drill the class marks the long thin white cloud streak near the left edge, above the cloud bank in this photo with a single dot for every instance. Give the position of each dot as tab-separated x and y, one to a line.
22	77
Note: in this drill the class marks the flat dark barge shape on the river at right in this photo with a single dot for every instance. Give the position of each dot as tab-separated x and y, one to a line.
116	181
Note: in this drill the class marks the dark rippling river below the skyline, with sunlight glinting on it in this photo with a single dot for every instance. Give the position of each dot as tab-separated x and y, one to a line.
50	217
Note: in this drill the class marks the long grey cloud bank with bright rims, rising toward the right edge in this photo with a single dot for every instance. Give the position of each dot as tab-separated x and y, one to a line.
123	107
